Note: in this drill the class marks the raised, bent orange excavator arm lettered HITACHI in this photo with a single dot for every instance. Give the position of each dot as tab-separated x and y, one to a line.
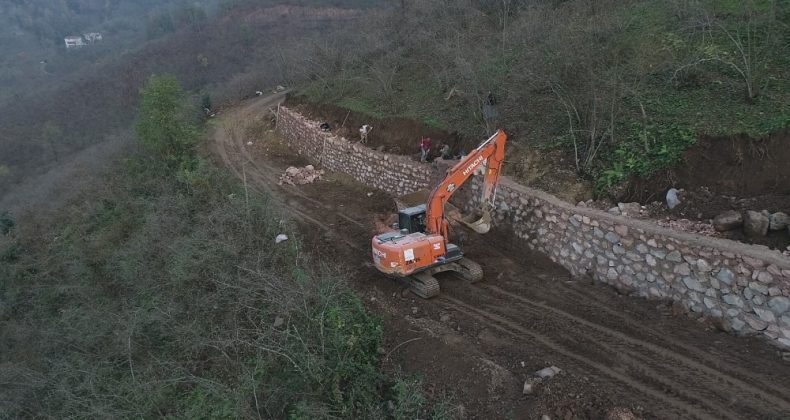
491	155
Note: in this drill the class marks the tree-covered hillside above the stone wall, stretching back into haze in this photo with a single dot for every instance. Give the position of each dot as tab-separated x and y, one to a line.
623	88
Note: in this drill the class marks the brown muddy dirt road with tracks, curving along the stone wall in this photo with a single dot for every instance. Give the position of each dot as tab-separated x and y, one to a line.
476	344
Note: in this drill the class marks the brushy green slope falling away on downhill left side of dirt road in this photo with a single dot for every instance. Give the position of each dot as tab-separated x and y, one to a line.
175	301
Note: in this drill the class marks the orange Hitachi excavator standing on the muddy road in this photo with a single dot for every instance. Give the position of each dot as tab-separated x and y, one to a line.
419	247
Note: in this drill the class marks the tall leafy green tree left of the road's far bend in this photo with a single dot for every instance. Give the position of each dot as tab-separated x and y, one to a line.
164	124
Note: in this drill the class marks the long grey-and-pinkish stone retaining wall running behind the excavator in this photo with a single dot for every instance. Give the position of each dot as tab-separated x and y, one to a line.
746	286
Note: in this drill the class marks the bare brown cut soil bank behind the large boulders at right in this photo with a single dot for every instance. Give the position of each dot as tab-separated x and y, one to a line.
720	174
